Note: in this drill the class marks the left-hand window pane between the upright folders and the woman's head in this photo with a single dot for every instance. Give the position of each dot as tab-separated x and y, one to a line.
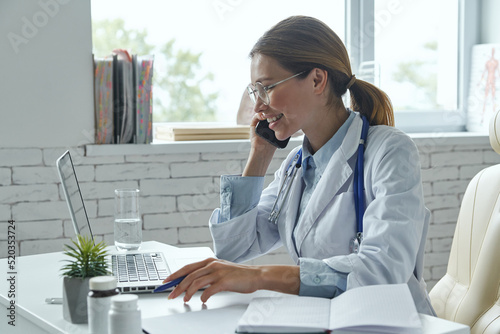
221	32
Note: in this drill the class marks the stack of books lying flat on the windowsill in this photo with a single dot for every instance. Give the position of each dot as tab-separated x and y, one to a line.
201	131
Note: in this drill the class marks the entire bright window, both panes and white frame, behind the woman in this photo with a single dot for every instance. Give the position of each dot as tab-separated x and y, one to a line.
413	50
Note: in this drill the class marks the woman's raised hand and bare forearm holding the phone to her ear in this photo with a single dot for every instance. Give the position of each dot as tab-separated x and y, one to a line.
261	152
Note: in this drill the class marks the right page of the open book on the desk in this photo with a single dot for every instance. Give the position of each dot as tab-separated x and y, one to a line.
387	308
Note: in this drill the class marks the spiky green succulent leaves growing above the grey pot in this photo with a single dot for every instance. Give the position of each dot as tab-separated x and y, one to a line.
88	259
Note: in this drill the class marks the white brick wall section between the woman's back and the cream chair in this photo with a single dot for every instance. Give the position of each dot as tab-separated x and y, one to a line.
446	172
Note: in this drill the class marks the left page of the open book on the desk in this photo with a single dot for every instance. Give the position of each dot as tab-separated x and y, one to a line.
291	314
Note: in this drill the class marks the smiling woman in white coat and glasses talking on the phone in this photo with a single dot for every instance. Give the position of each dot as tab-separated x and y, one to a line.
299	71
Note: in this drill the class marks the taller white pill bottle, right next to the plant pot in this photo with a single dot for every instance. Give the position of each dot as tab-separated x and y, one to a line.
102	288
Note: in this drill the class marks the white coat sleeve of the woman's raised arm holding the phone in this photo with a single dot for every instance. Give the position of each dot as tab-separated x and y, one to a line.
250	234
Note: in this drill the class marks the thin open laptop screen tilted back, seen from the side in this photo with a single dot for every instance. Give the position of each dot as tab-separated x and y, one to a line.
73	195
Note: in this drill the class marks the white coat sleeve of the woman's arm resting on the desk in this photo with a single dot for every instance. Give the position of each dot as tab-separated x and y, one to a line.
395	218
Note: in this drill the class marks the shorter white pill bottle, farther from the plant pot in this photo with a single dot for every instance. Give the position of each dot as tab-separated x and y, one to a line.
124	315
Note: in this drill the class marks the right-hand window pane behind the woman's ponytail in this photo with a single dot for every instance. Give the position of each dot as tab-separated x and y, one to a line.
416	45
